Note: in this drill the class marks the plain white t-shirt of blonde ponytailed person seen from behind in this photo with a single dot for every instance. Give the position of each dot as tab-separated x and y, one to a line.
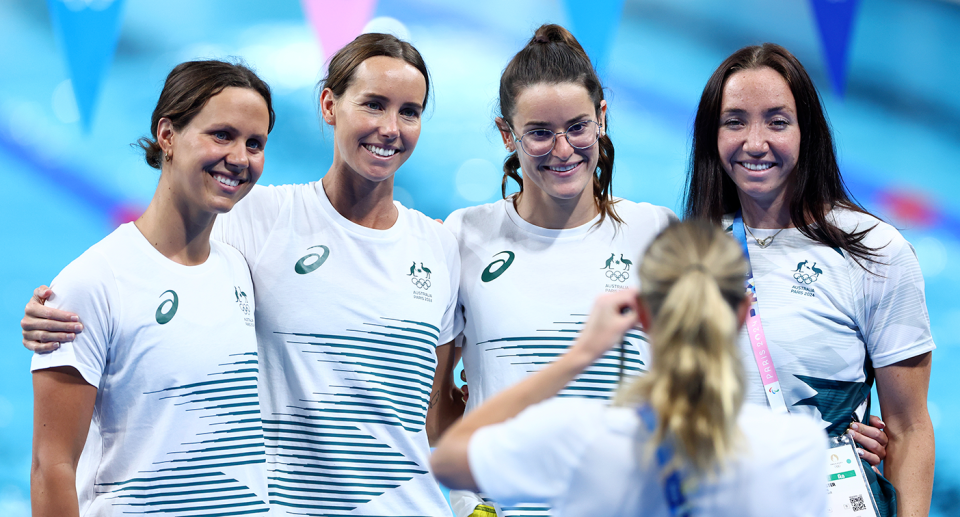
584	459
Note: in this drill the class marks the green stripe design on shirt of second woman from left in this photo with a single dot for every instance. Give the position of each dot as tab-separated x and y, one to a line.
323	459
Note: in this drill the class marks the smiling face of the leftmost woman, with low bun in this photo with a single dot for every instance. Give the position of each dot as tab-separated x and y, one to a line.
218	156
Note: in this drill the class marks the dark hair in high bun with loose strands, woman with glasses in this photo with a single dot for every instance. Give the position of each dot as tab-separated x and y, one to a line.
554	56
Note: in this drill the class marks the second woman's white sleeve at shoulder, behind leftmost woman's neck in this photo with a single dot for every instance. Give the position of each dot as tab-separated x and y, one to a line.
247	226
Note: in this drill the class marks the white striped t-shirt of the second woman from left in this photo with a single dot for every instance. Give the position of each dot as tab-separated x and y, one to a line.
348	320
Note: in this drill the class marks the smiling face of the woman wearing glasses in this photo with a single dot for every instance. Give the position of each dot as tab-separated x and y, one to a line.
564	176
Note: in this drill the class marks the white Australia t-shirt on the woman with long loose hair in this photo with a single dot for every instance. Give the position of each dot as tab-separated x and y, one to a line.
829	323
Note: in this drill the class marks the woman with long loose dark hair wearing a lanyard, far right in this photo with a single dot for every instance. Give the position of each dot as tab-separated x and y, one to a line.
839	292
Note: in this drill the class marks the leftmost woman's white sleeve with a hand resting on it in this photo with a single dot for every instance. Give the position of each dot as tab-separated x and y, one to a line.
88	288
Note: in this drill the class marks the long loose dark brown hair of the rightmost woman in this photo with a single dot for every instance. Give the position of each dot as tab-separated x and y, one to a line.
816	184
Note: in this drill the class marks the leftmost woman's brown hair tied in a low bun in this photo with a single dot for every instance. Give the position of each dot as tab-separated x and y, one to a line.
186	91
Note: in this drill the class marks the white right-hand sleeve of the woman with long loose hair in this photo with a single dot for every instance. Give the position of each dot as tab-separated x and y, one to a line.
897	325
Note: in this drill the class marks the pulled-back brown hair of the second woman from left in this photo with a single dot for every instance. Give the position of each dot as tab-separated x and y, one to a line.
344	63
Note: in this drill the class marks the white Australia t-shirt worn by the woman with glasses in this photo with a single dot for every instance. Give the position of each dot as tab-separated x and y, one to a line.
526	291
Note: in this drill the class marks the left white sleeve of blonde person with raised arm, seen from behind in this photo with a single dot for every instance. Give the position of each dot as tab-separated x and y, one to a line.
533	457
